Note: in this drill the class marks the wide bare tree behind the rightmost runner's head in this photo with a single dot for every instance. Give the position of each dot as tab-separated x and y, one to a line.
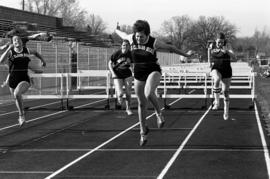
186	33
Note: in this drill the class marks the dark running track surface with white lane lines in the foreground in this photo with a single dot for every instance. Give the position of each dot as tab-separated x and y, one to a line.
90	142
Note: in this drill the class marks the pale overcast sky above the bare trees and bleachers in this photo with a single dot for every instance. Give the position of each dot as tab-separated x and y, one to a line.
247	15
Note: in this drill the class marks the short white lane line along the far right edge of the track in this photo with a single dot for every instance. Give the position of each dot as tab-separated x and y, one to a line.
264	145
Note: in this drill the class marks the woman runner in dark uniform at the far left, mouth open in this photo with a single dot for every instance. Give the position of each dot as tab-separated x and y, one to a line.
19	81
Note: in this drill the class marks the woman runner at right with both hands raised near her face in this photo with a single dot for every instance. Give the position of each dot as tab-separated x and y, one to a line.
221	71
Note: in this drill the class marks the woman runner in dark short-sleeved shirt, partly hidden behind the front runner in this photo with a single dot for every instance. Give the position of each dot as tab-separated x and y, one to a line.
119	66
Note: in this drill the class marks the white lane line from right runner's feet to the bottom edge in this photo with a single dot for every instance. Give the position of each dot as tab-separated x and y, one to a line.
176	154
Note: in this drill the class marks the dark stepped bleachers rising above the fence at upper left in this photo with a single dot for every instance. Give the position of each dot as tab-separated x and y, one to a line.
56	28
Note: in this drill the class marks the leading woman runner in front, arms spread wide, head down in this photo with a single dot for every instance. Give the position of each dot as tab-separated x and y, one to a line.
147	71
